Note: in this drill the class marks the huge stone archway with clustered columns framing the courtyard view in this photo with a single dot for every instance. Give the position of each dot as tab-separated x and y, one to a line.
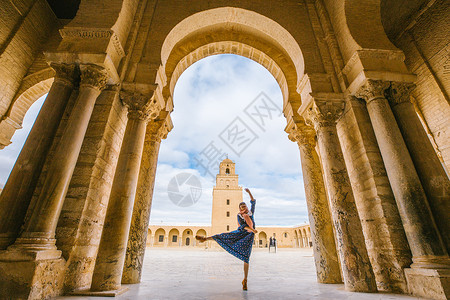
342	87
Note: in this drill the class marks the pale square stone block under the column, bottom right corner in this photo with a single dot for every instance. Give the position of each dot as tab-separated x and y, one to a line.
429	283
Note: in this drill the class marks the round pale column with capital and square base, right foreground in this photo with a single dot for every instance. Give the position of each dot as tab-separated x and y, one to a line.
430	258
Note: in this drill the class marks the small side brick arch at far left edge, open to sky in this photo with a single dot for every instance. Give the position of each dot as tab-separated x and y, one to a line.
32	88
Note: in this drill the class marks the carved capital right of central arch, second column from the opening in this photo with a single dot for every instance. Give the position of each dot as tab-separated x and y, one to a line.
325	113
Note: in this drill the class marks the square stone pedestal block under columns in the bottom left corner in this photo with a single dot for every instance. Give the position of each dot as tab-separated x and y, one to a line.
31	275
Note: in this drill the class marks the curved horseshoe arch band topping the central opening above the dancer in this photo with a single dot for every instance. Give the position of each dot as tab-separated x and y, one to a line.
236	31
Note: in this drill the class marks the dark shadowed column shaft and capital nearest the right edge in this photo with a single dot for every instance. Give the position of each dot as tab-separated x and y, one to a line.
432	175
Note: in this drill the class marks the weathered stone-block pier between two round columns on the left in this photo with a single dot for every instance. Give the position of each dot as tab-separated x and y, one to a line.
82	216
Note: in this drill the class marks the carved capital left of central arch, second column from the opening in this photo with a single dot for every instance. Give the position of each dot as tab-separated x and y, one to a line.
140	106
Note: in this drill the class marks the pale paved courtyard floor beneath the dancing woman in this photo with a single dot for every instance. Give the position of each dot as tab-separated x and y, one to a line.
207	274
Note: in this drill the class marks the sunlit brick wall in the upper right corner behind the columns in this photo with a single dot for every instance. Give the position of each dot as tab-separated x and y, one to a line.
427	52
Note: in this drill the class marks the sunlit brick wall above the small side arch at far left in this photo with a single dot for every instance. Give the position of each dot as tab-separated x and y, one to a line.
25	27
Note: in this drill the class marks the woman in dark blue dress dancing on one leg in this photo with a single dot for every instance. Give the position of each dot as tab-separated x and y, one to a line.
239	242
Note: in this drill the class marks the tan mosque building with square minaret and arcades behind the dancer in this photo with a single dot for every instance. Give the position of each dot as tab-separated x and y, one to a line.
227	194
